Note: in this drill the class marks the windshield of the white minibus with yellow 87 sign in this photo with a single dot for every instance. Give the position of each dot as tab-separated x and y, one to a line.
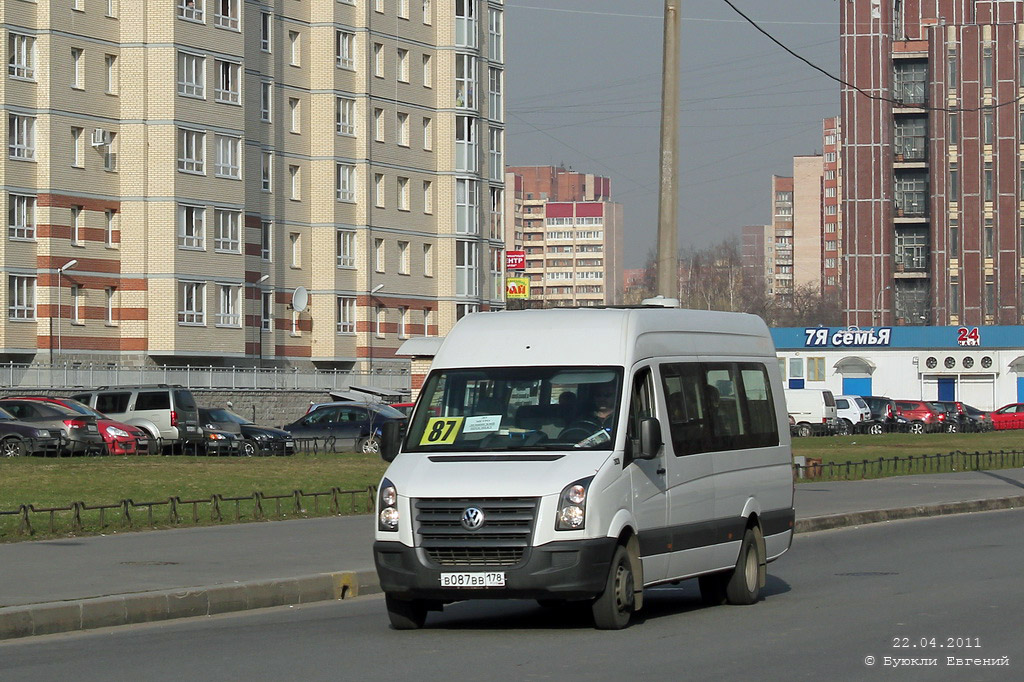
517	409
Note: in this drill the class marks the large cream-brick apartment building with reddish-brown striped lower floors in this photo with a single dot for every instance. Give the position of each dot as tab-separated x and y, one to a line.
234	183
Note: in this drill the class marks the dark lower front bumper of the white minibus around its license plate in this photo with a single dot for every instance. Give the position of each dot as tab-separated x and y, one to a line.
571	570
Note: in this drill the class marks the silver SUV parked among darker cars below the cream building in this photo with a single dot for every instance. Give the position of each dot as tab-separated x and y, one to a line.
167	413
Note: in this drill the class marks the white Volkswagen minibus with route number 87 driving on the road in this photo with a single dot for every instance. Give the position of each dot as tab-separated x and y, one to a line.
570	455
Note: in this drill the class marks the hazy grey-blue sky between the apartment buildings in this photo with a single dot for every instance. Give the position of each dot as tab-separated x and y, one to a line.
584	89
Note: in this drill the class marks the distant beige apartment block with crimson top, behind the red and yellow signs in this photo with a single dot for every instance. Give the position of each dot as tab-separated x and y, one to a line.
572	234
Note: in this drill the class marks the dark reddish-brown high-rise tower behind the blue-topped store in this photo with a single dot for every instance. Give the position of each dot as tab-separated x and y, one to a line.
933	162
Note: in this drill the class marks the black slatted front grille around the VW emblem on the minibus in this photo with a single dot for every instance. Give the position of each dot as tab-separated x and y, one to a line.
502	541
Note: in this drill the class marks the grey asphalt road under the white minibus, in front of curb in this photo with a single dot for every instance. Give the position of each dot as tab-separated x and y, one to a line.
951	586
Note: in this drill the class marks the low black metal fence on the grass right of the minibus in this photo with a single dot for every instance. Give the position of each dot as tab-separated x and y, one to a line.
814	468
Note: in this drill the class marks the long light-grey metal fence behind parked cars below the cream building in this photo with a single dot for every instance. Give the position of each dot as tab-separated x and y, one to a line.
82	375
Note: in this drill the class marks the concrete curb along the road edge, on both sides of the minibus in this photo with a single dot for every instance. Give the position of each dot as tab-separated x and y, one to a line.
49	619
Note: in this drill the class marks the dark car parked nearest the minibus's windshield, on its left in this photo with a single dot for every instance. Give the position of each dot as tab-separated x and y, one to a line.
347	427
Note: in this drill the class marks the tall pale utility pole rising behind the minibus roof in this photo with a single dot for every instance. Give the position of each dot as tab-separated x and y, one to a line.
668	231
